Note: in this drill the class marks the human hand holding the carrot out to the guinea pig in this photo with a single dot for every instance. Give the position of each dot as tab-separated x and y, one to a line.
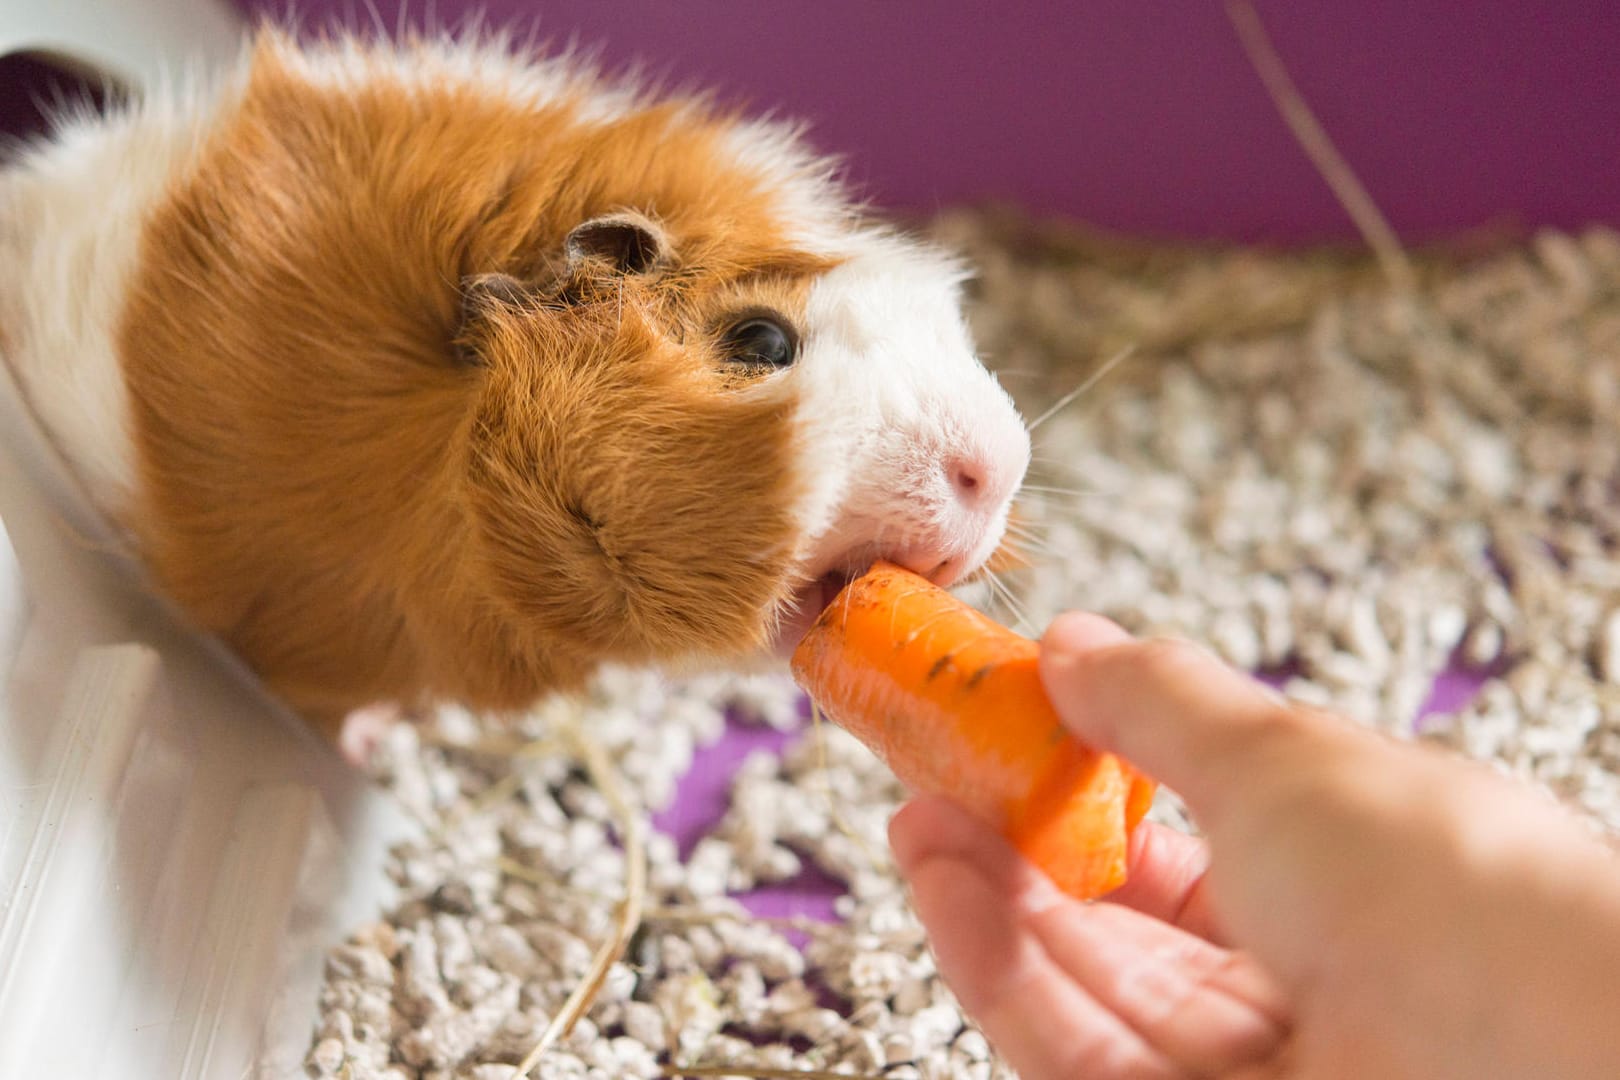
1373	909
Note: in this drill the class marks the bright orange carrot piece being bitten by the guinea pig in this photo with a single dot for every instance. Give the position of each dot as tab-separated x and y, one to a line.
953	704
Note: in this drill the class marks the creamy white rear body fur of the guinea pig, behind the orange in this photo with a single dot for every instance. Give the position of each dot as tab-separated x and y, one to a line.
72	215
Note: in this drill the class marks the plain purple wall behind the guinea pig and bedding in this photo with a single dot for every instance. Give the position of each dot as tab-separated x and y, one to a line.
1145	116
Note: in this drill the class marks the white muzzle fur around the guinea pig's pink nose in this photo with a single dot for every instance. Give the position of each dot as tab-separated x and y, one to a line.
893	401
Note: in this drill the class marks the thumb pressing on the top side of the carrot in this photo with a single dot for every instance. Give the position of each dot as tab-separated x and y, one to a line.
1174	710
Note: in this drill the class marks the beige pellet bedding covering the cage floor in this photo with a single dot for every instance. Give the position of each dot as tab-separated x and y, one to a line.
1345	488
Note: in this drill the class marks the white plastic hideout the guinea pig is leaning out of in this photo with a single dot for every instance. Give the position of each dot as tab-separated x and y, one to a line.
176	851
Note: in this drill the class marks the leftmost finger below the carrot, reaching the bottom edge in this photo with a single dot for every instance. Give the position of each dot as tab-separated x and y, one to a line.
1042	1023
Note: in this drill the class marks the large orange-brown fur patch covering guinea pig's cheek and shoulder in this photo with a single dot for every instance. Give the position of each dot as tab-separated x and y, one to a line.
367	517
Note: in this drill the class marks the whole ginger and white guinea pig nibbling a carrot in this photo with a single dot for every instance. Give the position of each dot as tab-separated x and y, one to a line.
433	373
